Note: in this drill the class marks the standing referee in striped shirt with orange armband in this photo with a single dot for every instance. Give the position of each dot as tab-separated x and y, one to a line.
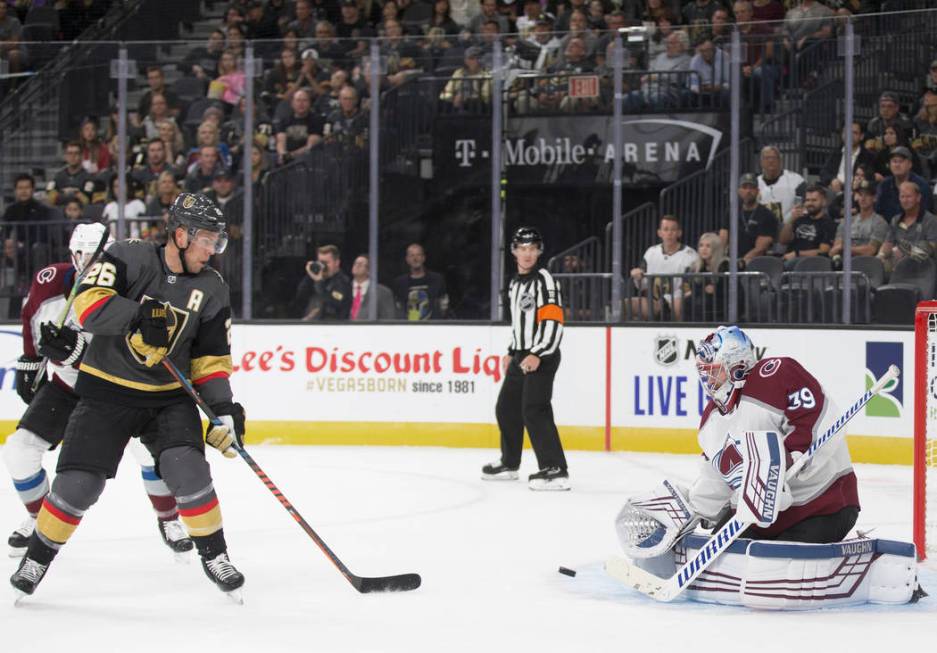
530	365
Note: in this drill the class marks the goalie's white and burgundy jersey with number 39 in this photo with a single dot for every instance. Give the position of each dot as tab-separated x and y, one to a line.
779	395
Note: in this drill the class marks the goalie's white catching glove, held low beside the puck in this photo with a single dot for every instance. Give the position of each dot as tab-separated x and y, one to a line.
652	522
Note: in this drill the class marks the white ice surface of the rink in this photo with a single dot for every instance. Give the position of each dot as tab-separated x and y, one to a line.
488	554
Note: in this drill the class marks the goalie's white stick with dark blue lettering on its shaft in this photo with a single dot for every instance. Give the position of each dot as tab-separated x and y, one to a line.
667	589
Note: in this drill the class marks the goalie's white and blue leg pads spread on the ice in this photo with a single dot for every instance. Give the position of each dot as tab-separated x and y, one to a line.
791	576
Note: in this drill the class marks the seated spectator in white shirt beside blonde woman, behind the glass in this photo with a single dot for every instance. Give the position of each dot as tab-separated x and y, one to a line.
670	257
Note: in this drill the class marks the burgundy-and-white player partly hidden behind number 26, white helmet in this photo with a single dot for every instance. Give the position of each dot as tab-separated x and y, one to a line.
42	426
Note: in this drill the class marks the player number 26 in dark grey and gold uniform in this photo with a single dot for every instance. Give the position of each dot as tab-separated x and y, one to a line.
143	302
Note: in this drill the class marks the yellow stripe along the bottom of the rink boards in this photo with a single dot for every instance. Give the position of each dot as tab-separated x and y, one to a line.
863	448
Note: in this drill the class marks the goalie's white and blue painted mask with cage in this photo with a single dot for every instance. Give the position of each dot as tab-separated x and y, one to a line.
723	360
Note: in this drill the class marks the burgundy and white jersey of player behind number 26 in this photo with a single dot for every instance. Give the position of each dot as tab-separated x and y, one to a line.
44	303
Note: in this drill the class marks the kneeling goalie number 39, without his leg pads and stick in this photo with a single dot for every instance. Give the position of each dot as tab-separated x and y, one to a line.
767	410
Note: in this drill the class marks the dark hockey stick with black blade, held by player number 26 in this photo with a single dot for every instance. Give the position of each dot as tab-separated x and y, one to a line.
398	583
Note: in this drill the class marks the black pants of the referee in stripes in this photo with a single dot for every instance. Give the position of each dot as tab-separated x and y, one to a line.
524	401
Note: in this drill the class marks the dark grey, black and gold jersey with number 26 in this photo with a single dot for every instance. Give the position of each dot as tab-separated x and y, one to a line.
128	273
